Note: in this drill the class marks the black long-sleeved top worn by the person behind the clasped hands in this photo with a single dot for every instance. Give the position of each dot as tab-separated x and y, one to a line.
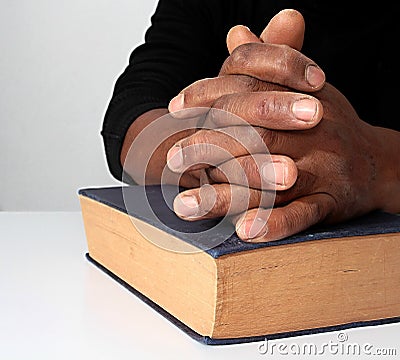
187	42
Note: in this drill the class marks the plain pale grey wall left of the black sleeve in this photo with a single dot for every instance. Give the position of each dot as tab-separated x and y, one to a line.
59	60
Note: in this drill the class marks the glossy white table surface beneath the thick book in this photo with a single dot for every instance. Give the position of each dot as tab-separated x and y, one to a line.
55	305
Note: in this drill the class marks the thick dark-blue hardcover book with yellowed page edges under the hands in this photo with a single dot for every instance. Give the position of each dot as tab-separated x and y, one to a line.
220	290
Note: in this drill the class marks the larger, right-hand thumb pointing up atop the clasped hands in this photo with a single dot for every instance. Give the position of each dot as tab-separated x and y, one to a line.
287	28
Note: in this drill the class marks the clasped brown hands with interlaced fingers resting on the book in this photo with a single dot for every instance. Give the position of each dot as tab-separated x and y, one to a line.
323	155
